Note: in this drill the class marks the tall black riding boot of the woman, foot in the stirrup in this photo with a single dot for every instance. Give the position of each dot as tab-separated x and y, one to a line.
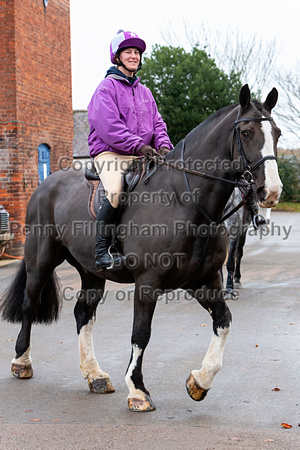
106	220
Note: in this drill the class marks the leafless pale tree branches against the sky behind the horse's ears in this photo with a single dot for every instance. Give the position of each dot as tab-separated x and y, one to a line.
254	60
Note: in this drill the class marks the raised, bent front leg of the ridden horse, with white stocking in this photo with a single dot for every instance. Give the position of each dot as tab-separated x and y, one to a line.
200	381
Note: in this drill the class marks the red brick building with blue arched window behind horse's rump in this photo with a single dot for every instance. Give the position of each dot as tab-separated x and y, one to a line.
36	123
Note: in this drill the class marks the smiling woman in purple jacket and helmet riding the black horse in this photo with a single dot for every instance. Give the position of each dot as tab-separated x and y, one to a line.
124	124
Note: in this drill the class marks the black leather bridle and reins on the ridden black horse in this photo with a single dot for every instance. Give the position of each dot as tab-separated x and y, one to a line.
244	183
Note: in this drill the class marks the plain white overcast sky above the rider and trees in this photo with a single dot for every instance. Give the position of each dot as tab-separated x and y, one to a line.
95	22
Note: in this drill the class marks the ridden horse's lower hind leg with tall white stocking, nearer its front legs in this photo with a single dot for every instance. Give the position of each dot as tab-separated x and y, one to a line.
92	290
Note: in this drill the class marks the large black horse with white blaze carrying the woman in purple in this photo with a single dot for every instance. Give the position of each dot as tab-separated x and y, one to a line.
179	214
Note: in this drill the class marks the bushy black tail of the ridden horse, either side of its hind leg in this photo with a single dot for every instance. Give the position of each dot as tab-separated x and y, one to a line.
12	300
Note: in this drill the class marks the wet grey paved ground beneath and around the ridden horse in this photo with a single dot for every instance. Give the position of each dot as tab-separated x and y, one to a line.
241	411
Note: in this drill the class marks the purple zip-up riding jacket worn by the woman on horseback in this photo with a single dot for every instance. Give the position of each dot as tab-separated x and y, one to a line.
123	117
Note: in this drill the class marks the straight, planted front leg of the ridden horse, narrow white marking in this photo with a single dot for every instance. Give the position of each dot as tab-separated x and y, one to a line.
144	306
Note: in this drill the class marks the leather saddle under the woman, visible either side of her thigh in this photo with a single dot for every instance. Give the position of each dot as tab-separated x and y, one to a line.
138	170
